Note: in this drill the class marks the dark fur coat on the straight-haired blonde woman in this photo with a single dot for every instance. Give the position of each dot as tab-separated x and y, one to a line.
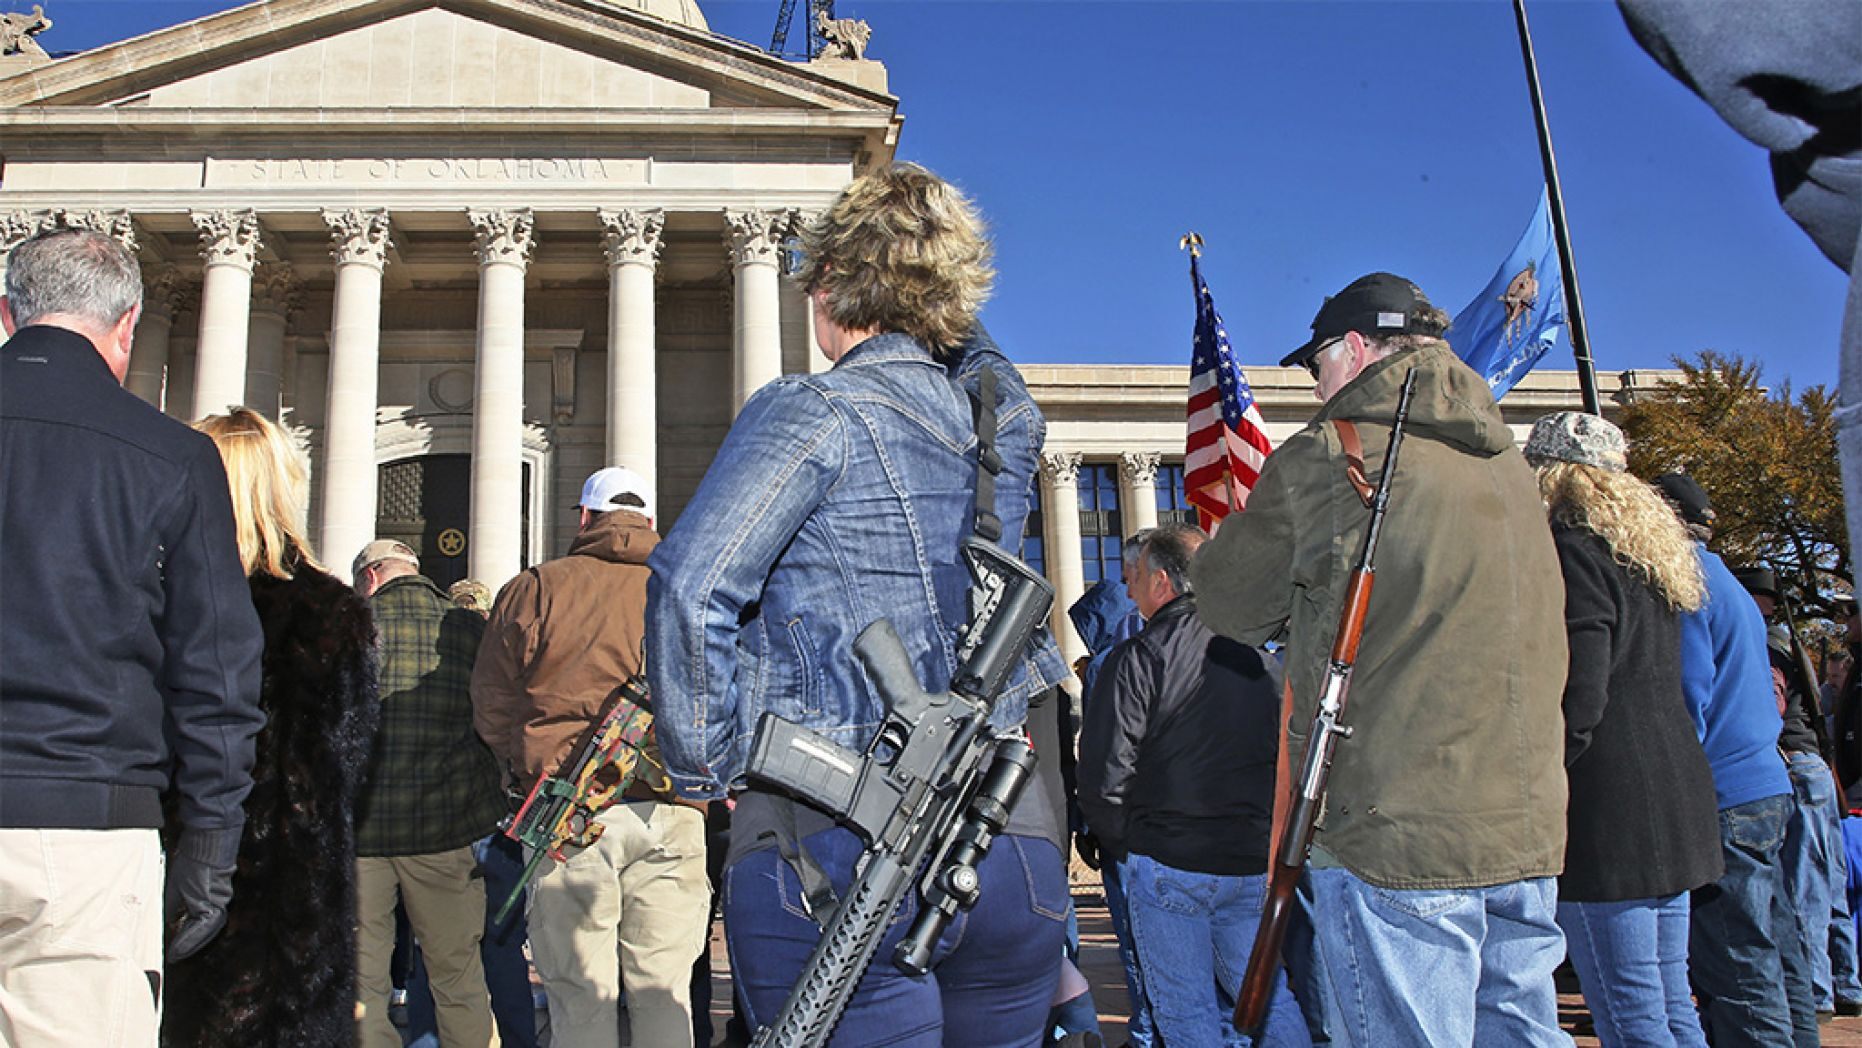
284	971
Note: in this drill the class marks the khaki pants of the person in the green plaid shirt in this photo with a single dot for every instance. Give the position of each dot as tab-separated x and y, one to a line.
446	906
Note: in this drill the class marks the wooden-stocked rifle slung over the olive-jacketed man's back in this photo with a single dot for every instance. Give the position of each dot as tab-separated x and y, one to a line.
1321	742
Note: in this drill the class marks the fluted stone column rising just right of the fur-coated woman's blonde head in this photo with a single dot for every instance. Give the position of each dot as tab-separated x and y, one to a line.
347	483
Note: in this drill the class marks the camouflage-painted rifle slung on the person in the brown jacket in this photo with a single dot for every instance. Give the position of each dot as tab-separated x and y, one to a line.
561	809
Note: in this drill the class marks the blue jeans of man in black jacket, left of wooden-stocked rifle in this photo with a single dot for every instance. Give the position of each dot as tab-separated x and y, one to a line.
1194	934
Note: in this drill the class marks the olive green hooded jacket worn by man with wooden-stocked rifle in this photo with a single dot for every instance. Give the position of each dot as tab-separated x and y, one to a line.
1455	772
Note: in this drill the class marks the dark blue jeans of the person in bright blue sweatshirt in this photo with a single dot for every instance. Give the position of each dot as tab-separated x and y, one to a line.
1733	952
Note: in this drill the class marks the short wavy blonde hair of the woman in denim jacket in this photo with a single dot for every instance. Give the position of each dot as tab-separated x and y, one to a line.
902	250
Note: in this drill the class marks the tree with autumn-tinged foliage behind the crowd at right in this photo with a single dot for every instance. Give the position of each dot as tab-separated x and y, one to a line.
1768	461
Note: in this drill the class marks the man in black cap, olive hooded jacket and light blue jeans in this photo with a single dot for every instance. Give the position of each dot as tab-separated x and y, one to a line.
1437	859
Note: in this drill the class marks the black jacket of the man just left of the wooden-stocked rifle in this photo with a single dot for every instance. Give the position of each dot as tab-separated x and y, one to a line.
1178	747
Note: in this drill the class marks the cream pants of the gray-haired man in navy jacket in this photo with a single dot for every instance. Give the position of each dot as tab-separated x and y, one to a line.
81	939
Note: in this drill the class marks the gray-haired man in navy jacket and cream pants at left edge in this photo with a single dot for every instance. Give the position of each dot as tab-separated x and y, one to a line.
129	662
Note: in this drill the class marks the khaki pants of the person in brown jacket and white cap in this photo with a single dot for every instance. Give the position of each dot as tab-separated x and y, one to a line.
641	889
